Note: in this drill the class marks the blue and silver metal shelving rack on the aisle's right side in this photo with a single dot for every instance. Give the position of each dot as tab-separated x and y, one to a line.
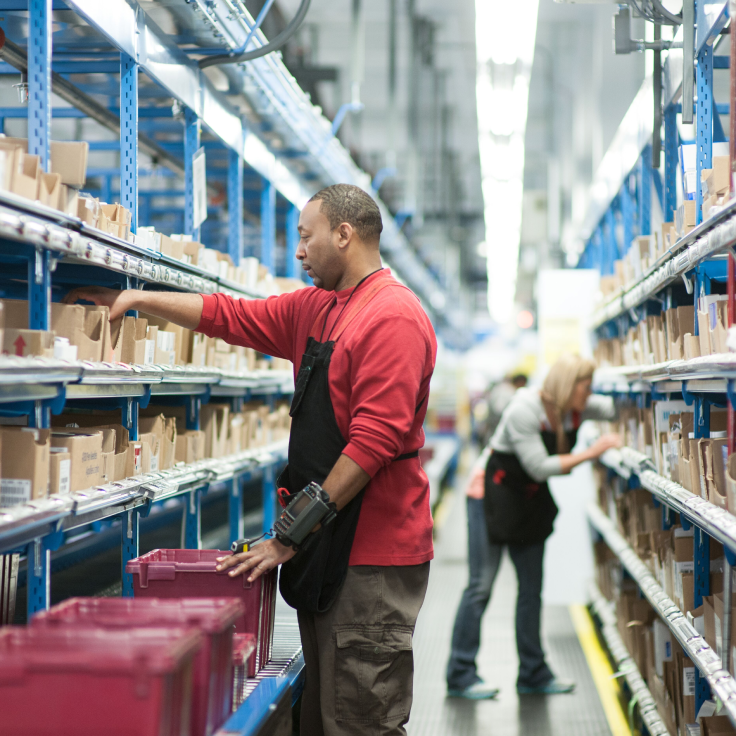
701	262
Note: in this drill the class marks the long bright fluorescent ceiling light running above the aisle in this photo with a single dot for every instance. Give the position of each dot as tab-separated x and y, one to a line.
502	94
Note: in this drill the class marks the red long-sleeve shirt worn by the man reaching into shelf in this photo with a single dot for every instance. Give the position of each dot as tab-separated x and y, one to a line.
379	374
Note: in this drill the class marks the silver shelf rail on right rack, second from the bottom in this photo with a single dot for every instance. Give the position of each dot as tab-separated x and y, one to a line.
707	662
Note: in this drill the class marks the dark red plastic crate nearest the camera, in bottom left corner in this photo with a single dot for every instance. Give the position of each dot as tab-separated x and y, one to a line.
75	682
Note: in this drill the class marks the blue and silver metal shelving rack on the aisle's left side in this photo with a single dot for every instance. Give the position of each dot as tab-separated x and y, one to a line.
268	157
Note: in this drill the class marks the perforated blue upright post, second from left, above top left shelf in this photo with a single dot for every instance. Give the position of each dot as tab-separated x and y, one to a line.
129	137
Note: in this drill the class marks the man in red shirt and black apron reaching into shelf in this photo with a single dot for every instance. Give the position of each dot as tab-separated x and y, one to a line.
363	351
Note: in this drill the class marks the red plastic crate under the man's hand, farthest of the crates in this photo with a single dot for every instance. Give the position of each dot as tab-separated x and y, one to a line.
190	573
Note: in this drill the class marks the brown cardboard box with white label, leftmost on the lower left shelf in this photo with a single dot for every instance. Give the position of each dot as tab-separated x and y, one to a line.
24	464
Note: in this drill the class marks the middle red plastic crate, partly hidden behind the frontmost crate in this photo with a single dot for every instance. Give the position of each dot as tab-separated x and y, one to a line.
213	666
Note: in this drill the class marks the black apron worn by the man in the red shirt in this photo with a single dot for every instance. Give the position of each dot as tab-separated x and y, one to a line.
311	580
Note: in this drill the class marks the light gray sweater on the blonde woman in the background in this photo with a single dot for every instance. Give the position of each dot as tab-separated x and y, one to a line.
520	429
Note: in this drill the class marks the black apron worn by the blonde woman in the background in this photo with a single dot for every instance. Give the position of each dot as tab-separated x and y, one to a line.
518	509
